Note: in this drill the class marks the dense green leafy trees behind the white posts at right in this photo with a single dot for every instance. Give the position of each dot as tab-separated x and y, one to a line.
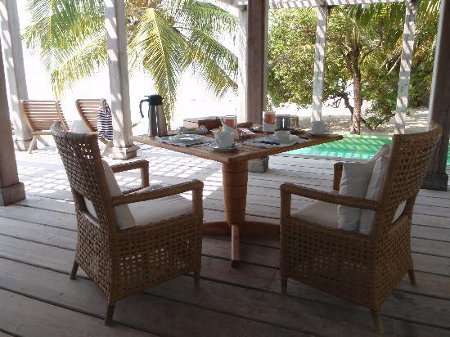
363	44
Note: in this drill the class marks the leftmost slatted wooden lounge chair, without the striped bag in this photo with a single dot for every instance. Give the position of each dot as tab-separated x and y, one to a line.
40	115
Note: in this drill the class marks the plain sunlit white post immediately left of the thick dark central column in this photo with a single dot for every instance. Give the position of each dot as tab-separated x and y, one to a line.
242	64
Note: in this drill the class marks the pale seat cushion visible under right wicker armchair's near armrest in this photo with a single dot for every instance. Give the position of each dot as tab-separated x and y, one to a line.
319	212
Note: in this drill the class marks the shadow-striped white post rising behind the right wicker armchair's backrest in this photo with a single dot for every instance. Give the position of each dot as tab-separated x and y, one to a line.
409	32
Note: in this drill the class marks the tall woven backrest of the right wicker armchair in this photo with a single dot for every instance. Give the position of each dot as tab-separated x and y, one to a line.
409	161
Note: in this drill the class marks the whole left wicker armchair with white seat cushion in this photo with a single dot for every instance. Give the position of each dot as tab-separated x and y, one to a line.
125	261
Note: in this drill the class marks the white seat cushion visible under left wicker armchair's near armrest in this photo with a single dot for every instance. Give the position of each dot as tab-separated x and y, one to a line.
151	211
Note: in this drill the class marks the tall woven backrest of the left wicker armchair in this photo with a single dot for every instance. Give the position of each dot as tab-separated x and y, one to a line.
82	161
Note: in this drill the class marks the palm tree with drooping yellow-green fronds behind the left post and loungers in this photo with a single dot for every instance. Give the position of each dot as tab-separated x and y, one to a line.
165	37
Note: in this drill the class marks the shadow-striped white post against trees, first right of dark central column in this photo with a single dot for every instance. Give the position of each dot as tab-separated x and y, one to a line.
319	63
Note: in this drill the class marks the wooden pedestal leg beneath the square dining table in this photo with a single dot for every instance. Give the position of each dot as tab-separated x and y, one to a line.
235	177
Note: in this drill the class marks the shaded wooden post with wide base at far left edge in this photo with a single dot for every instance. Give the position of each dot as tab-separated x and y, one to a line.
11	189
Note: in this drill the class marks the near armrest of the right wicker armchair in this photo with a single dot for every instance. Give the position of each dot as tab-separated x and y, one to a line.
344	200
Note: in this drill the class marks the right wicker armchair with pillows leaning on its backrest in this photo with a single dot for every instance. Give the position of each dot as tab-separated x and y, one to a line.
360	268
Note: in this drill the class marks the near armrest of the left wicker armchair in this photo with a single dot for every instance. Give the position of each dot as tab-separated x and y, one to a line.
195	186
